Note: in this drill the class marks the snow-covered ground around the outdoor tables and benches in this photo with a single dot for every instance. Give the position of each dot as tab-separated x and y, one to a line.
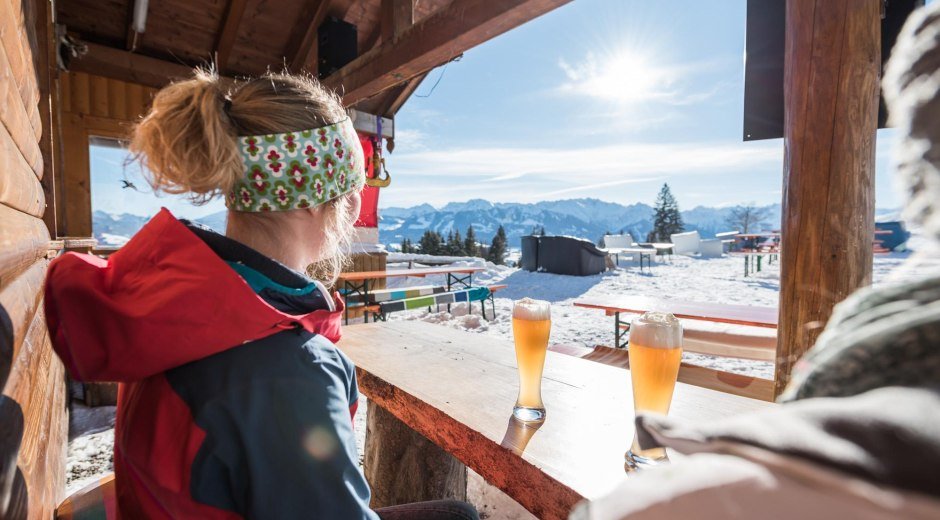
707	280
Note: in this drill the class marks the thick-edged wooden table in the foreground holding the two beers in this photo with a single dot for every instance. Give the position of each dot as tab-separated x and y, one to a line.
462	395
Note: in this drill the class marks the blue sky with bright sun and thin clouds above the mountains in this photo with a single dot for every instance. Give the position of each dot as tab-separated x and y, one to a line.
599	98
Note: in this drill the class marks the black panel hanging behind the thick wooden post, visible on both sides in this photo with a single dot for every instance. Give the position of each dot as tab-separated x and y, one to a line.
763	66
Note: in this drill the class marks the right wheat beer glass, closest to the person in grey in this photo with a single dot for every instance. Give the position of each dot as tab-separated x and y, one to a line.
655	351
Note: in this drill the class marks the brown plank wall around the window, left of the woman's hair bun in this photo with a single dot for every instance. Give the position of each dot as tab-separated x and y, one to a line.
92	106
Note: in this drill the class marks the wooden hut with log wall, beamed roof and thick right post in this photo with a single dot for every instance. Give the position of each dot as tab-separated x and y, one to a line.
74	69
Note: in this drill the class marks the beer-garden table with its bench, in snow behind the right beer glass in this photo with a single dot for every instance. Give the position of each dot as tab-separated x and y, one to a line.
719	343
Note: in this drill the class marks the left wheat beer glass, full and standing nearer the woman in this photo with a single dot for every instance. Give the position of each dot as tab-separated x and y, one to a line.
531	325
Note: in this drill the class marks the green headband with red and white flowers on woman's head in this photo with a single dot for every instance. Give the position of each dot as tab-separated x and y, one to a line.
297	170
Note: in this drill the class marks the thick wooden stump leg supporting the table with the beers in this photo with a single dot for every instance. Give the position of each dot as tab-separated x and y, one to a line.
403	467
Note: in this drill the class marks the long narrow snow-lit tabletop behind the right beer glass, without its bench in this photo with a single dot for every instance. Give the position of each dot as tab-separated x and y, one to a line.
717	312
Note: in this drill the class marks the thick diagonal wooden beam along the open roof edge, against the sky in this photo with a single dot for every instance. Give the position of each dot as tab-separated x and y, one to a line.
437	39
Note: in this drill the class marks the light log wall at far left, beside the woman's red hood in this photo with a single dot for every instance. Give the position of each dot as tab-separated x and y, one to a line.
33	404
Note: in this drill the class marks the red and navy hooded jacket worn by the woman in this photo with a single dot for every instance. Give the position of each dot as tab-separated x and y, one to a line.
220	389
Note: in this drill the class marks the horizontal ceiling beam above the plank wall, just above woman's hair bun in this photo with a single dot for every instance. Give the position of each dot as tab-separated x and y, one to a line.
127	66
